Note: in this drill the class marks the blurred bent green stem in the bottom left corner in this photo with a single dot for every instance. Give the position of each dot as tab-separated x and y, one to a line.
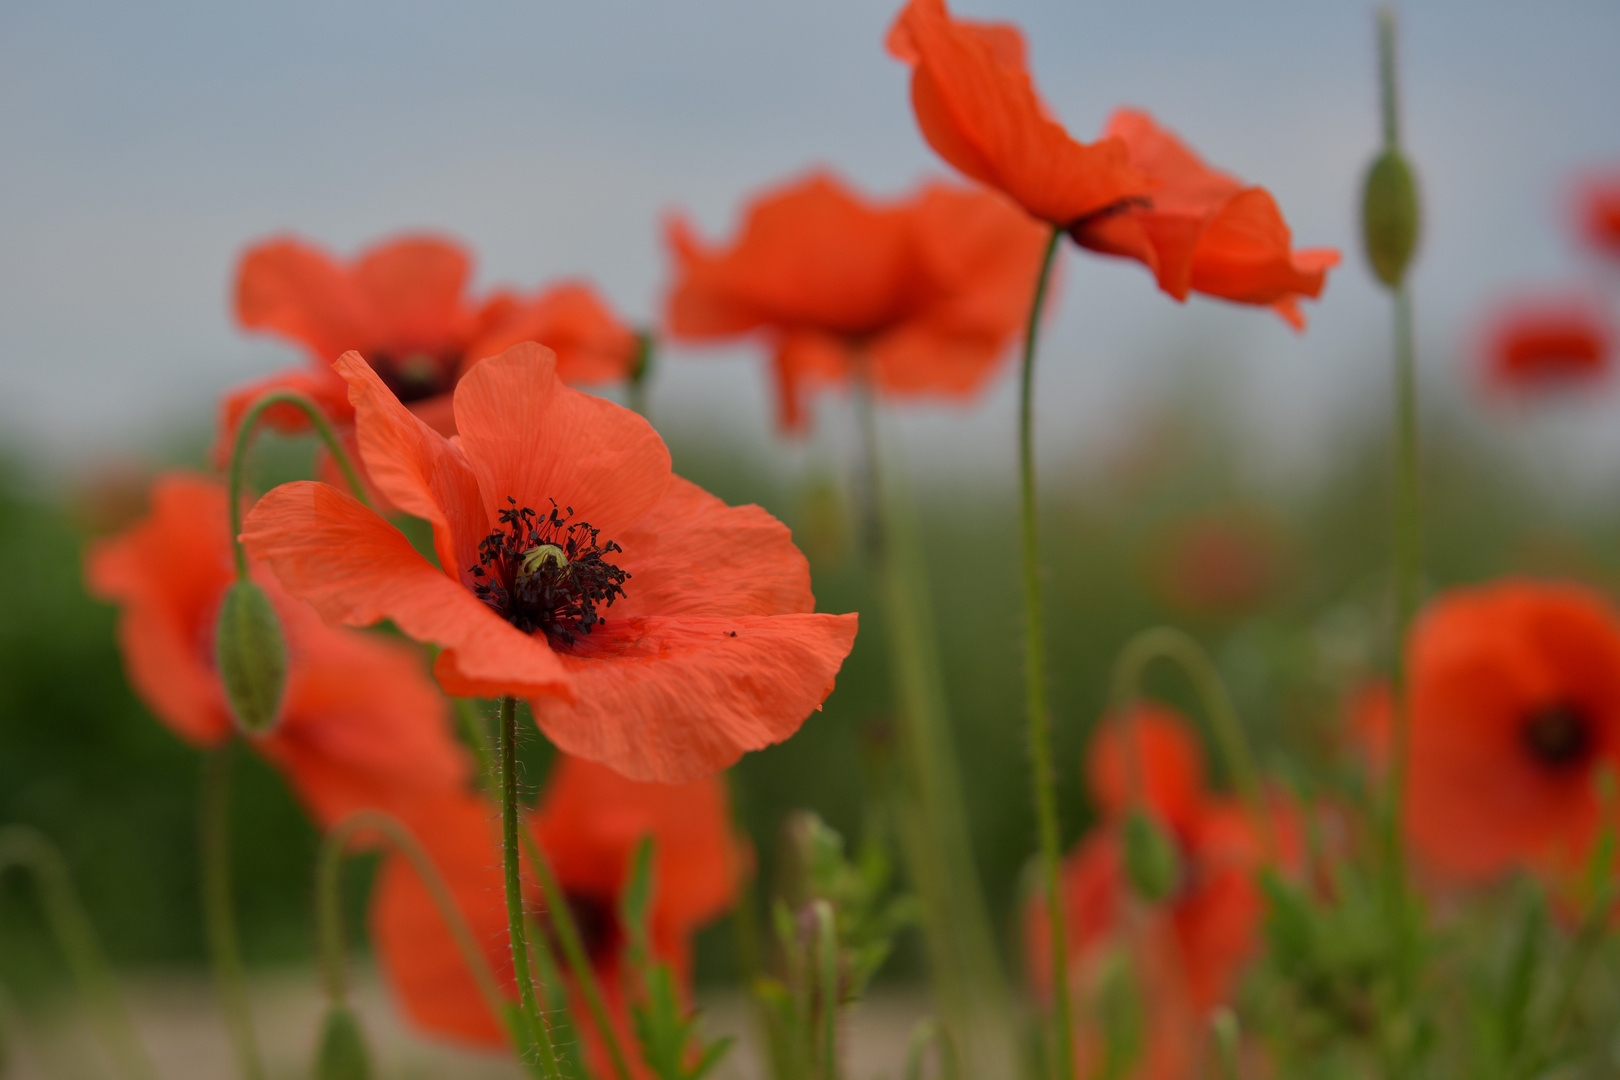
28	849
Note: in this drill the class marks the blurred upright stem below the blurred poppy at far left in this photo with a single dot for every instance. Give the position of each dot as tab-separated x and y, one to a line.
220	916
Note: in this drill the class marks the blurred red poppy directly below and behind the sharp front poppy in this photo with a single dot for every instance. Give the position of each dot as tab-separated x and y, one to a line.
589	823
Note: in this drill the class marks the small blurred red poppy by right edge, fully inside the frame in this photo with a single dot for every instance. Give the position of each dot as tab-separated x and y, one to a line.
1548	344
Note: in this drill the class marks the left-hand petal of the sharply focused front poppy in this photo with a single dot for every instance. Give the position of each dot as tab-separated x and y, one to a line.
357	569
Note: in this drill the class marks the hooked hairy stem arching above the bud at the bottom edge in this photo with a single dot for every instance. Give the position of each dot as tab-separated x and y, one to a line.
330	914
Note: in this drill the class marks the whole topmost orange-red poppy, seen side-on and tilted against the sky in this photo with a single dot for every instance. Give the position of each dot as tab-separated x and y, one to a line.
1138	192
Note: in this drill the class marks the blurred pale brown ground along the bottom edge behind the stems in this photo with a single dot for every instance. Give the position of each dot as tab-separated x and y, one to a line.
181	1024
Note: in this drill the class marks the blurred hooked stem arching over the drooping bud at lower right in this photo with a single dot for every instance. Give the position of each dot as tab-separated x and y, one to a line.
1190	657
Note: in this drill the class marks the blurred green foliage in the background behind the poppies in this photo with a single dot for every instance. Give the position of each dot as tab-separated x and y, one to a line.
83	760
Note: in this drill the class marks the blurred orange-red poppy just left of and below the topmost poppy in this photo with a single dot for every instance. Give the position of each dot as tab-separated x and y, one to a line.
926	294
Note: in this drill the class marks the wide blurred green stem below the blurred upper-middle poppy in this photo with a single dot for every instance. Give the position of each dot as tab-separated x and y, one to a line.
936	840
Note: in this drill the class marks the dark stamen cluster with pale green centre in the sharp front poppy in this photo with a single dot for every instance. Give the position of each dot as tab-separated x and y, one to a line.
547	572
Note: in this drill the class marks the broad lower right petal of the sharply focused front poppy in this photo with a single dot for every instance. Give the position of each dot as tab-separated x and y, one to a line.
671	700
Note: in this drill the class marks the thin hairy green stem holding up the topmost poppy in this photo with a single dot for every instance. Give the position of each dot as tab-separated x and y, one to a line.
1038	708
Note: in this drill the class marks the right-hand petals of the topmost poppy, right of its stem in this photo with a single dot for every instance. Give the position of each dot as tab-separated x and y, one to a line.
1204	231
